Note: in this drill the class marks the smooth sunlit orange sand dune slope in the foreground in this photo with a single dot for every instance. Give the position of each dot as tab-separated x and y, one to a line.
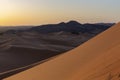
97	59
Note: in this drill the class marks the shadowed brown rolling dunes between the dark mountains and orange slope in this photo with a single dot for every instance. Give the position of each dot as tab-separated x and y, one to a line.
21	49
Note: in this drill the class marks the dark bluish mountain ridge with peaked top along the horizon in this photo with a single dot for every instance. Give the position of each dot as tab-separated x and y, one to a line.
73	27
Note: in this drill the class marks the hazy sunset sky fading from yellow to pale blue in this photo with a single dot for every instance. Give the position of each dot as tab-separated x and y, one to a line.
36	12
